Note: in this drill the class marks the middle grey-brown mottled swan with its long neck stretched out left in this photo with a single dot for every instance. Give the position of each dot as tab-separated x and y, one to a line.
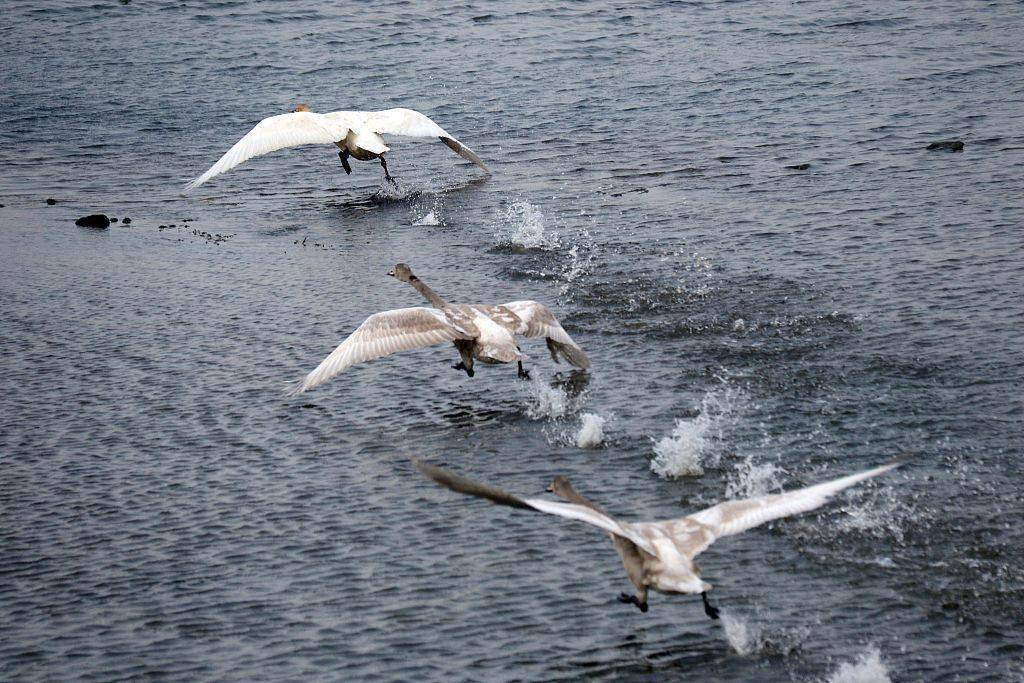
480	332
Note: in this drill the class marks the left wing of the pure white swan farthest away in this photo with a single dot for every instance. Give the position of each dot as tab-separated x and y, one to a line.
277	133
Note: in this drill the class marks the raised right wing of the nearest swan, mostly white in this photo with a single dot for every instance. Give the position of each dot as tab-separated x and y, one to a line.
736	517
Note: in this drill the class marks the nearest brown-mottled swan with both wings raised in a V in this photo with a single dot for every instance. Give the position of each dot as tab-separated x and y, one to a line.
660	556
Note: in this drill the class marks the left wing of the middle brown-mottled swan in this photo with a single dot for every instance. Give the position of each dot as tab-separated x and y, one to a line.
382	334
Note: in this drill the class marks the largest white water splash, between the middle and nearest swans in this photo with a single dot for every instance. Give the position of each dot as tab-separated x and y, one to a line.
697	442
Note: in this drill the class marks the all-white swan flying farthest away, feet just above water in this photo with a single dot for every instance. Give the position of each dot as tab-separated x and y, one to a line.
358	135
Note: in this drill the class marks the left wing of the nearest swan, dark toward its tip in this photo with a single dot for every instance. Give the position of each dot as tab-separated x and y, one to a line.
463	485
